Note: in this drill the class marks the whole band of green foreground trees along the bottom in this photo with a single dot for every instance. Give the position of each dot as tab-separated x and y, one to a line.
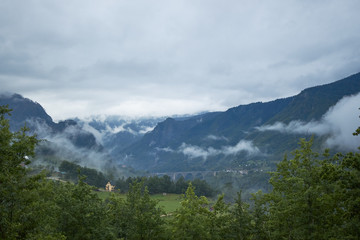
313	196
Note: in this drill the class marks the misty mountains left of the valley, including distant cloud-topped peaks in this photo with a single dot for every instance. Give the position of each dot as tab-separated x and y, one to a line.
93	143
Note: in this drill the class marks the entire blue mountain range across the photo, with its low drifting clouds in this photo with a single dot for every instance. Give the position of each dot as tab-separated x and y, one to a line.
250	137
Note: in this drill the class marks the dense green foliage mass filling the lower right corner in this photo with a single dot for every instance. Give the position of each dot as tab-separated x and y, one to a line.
313	197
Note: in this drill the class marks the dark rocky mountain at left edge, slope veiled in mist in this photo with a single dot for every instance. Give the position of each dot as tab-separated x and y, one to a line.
65	140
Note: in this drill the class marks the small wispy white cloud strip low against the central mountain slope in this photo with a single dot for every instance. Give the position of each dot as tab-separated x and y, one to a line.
195	151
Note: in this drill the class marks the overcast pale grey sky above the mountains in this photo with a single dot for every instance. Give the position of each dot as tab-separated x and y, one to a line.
158	58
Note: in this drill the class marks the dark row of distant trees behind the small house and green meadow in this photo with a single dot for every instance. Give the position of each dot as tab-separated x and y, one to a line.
154	184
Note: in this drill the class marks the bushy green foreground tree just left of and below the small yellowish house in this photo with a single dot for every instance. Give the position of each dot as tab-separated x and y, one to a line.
81	214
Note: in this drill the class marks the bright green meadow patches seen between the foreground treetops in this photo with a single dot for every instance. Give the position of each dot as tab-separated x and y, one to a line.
169	202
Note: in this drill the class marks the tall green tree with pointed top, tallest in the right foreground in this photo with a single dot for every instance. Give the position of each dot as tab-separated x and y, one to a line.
295	208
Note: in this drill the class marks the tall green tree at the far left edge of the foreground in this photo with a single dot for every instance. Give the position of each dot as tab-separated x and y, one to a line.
23	213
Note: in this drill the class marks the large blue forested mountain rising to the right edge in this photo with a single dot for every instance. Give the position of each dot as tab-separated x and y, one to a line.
246	136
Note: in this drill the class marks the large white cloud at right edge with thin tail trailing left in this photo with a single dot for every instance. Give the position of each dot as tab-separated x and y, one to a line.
339	122
